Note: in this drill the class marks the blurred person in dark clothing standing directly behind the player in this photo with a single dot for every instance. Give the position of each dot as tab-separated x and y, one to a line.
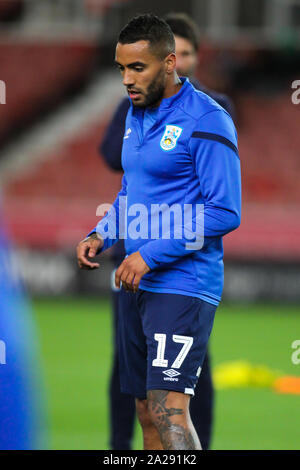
122	406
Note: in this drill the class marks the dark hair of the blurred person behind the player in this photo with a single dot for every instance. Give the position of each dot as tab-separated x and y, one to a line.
182	25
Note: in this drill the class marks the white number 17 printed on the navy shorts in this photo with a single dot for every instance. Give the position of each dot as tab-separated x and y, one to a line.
160	360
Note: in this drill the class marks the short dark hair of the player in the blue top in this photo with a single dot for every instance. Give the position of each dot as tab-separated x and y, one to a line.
150	28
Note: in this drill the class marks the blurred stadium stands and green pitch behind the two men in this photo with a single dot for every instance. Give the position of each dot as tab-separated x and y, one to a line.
58	92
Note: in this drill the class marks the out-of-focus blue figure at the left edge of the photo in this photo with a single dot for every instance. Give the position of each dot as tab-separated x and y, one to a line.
22	420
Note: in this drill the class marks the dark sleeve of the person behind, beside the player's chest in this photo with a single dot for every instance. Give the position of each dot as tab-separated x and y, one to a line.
111	145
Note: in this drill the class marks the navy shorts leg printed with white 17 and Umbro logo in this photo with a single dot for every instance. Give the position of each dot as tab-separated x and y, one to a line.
177	330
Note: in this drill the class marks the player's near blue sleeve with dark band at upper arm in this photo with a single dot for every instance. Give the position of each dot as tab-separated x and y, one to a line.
213	149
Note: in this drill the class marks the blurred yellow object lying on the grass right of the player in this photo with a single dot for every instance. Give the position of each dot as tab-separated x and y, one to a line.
238	374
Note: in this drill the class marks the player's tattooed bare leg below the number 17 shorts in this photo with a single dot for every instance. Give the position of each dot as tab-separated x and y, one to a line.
173	436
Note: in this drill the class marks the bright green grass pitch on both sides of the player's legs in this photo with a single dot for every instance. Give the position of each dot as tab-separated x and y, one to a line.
75	349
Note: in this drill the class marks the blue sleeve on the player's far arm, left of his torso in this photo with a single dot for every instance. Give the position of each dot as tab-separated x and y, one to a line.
112	226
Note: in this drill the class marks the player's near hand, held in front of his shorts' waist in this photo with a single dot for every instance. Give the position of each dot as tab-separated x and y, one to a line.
131	271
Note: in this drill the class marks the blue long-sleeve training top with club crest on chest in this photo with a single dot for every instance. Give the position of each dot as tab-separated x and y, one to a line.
187	158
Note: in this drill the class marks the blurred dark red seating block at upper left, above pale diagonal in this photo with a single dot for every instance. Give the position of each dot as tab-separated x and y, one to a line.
59	66
